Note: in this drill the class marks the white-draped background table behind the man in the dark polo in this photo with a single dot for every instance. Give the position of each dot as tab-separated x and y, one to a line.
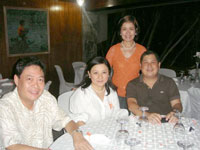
190	97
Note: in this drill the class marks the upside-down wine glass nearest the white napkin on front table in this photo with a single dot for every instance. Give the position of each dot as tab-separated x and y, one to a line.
122	134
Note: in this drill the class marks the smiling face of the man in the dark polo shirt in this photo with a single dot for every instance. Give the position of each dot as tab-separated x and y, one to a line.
150	66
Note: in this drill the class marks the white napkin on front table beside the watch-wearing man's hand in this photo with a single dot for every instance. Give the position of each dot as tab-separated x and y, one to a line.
97	139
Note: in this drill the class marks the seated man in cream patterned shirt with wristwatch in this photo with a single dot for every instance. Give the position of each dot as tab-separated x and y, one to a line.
28	114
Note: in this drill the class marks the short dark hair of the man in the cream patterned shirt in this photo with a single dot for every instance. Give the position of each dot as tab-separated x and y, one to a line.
22	63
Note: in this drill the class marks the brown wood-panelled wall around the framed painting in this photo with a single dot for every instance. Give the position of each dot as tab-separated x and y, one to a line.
65	31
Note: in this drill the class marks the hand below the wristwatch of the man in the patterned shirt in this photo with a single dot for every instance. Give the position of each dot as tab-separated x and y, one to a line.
80	143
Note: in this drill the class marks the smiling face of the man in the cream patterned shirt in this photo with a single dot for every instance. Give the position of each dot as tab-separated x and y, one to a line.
30	84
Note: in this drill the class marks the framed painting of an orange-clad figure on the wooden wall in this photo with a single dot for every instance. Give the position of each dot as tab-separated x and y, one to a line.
26	31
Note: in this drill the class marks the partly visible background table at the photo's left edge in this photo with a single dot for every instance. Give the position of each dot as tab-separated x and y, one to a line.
6	85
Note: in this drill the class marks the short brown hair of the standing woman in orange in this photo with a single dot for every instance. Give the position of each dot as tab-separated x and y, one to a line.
129	18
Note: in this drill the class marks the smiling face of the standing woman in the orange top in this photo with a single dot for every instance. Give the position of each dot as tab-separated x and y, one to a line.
127	31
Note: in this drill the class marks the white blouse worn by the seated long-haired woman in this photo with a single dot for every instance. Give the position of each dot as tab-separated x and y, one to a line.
86	106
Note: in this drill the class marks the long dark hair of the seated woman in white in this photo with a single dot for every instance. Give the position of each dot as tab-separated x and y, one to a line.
87	81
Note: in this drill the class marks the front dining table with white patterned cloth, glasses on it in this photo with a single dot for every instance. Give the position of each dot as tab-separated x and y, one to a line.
102	135
